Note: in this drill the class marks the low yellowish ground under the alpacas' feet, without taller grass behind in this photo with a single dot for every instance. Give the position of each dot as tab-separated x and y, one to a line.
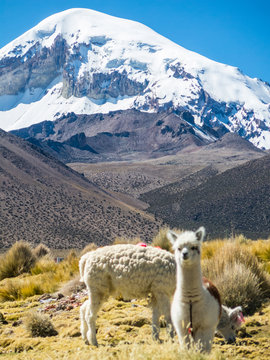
124	332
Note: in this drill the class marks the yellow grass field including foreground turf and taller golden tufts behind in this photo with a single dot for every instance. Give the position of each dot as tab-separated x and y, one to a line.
123	328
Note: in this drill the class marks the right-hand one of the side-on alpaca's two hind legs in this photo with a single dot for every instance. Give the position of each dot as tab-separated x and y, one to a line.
95	301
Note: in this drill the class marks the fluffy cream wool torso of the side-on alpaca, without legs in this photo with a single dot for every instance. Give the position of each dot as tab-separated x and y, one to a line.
129	270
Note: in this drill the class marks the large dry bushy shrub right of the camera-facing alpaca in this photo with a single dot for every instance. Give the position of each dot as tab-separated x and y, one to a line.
252	281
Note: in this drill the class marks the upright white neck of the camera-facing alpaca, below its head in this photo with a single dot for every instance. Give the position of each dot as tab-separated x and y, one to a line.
189	282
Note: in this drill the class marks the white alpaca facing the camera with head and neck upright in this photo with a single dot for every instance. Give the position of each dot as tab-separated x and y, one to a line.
196	306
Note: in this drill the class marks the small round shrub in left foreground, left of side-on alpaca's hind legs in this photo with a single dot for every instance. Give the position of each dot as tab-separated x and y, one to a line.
39	325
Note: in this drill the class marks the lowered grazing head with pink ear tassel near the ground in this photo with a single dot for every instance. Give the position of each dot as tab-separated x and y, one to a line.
230	321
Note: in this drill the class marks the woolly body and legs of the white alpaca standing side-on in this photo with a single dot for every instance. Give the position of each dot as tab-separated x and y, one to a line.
131	271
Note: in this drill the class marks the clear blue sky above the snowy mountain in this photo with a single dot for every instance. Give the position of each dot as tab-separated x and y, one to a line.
232	32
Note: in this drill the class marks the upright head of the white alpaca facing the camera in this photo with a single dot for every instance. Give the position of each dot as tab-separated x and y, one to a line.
187	246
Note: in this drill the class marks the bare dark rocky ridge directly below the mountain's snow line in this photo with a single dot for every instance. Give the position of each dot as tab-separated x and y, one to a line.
119	135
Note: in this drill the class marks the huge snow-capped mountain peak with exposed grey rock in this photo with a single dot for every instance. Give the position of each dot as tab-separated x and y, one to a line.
86	62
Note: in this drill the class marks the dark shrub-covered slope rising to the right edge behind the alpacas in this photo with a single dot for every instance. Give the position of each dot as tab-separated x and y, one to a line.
235	201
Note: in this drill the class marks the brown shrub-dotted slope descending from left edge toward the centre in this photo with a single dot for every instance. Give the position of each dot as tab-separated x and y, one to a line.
42	200
